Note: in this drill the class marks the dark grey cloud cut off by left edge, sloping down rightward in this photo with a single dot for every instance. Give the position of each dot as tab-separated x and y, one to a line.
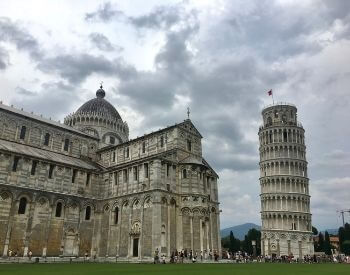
13	33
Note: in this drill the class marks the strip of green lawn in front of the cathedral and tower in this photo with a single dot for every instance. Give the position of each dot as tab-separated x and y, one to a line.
178	269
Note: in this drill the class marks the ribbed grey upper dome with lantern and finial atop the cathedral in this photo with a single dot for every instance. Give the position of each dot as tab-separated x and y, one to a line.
99	106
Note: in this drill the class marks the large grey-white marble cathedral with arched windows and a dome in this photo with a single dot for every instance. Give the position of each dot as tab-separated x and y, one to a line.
82	186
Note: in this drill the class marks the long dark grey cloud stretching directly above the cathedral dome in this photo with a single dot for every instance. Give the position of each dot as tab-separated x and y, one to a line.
77	67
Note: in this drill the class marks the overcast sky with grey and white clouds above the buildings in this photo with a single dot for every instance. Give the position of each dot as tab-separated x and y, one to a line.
218	57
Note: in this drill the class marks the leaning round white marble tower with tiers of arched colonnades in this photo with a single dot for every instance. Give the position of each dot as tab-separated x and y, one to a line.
285	199
